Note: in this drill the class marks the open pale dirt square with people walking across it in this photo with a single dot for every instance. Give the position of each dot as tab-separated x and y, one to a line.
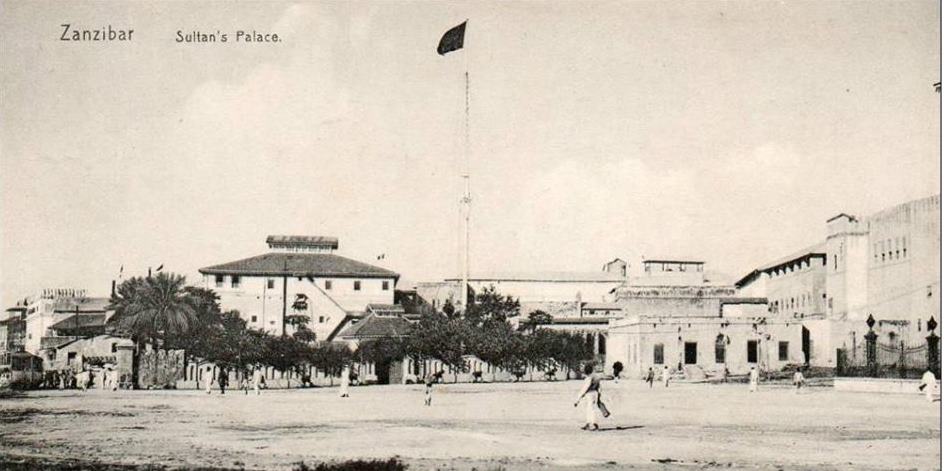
481	426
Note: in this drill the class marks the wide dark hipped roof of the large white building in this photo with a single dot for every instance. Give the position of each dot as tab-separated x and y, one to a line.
300	264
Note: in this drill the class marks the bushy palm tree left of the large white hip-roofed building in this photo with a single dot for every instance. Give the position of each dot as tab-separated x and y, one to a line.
155	308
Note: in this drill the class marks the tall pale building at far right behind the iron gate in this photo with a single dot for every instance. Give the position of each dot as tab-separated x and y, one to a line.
886	265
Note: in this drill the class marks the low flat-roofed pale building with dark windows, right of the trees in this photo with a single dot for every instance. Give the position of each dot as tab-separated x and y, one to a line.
674	314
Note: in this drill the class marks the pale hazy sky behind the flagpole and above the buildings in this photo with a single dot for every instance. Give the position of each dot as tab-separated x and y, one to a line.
722	131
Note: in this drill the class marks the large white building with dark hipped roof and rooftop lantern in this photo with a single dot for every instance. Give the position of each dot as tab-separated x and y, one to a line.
299	276
